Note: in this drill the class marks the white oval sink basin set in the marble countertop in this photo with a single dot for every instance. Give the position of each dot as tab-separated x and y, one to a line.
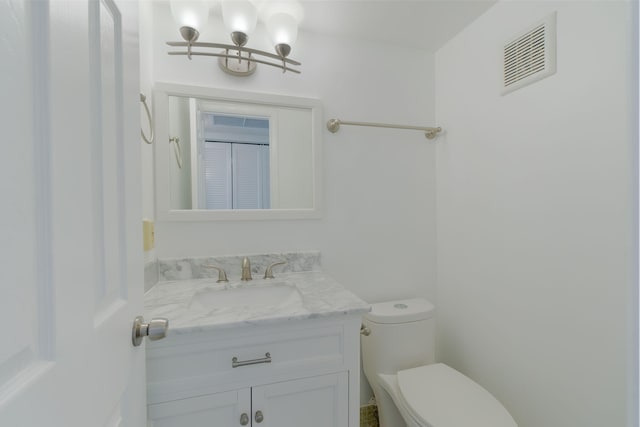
247	297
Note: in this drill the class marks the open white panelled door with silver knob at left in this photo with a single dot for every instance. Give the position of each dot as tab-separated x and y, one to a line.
71	275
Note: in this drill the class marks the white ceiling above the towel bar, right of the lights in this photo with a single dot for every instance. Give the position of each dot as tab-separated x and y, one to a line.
424	24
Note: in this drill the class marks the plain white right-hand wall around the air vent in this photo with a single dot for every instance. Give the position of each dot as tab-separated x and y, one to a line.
535	196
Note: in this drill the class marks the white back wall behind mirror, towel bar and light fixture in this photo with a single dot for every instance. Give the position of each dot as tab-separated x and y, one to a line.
377	235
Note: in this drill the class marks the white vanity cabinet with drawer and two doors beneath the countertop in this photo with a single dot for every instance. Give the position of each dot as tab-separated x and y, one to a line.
291	373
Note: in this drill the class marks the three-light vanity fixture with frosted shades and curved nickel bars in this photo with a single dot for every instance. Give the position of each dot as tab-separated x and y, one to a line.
240	18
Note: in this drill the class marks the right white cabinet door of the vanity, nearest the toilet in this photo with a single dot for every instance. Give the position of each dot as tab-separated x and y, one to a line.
320	401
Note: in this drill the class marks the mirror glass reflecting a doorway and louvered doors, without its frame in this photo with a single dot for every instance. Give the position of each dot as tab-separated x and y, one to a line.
239	155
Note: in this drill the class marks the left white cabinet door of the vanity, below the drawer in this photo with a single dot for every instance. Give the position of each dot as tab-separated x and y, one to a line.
215	410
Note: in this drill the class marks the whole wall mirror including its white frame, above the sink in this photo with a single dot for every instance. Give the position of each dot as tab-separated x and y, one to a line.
223	154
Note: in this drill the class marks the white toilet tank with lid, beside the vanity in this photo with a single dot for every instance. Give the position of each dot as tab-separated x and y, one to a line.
402	336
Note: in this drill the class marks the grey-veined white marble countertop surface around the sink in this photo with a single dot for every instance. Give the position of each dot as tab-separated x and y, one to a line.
319	296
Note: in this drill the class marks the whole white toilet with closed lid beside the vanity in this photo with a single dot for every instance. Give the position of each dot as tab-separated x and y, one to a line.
410	388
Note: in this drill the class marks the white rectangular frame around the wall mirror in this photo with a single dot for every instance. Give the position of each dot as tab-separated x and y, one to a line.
162	91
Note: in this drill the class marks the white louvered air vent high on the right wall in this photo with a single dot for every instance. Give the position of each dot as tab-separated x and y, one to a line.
531	56
